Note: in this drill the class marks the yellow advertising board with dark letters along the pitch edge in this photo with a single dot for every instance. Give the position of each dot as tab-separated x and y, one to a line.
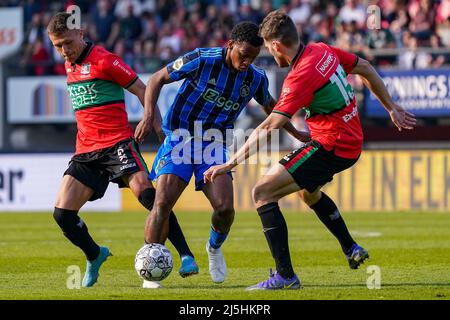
380	181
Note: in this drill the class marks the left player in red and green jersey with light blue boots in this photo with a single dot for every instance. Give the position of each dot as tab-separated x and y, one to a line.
106	150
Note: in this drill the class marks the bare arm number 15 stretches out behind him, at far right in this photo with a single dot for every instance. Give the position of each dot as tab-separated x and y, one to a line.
399	116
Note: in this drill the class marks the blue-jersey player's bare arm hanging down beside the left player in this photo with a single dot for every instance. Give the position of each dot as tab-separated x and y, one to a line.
154	85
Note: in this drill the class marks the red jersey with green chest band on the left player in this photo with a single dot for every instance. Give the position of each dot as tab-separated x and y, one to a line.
95	83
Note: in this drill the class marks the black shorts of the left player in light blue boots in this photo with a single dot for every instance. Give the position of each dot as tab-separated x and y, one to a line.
97	168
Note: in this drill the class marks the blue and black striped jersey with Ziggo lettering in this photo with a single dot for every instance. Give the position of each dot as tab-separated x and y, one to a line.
212	93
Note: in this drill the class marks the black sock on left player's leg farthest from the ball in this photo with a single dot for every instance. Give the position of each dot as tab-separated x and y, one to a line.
77	232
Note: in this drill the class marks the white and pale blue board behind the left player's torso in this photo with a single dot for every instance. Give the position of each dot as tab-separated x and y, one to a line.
45	99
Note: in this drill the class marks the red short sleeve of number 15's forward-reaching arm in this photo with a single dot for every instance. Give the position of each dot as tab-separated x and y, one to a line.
297	93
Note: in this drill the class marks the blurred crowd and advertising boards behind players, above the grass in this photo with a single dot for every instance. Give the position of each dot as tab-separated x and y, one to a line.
398	170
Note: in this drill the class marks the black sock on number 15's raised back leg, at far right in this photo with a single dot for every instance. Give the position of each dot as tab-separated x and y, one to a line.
329	214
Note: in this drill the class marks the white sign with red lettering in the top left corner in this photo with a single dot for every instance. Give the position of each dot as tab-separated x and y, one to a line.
11	31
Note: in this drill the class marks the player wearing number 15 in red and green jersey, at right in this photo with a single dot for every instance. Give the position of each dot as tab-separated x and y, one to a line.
317	82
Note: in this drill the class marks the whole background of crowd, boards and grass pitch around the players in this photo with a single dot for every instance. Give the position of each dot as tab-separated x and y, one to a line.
402	180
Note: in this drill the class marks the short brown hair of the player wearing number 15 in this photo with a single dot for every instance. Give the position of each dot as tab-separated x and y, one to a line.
277	25
